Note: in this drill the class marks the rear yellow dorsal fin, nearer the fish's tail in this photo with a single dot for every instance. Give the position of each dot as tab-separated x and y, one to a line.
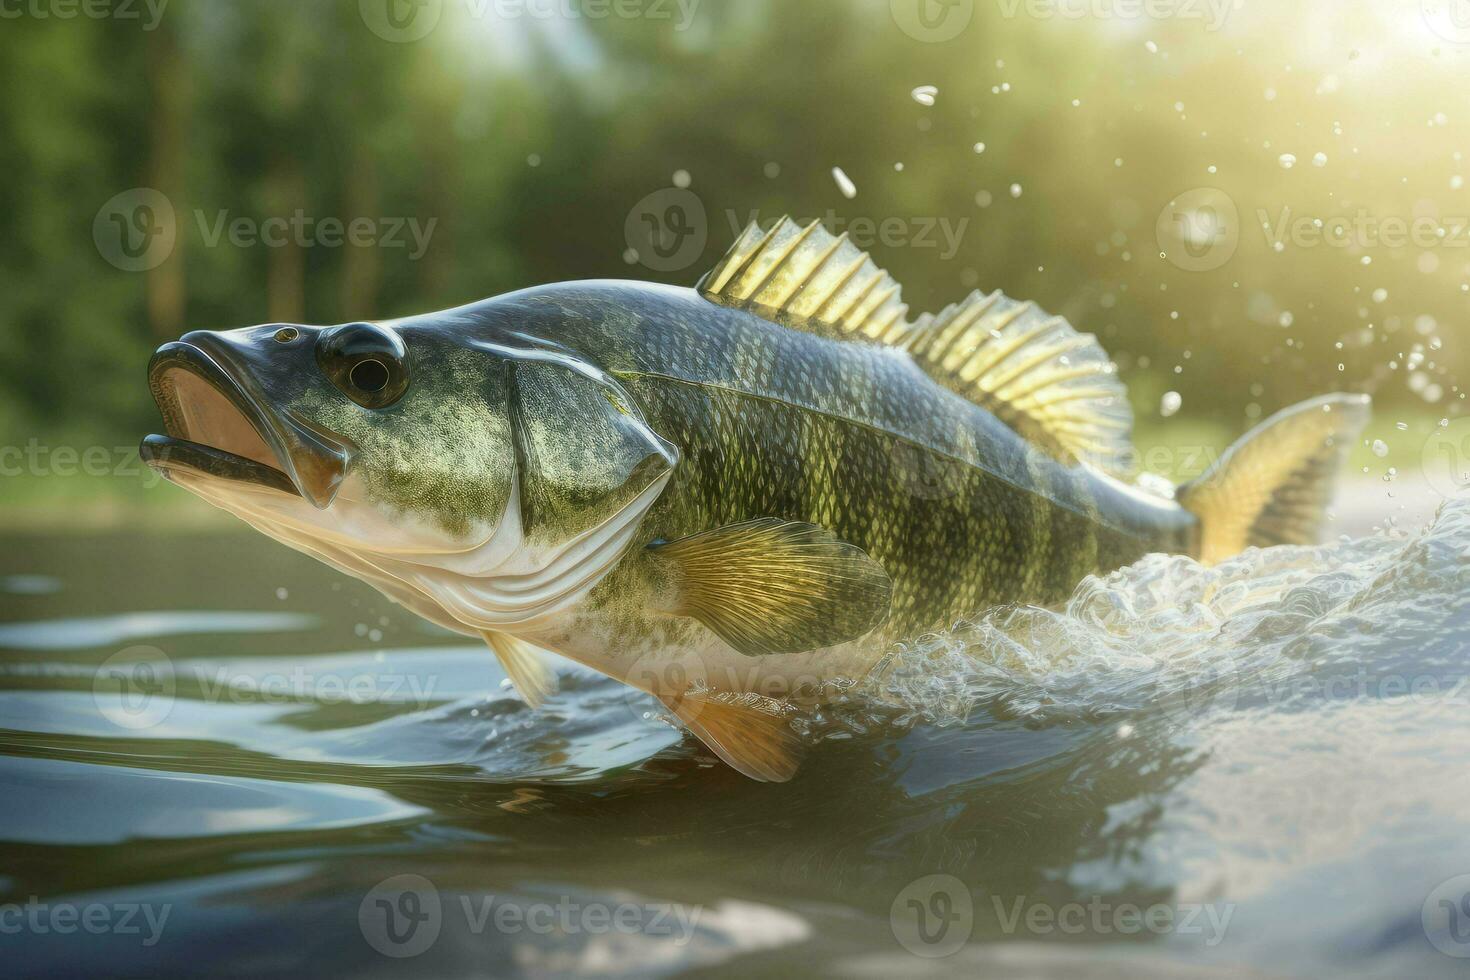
1036	372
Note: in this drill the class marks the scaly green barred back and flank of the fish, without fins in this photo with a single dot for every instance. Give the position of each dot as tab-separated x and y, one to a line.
958	509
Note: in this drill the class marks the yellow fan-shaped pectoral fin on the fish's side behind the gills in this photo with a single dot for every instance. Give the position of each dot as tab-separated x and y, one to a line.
774	587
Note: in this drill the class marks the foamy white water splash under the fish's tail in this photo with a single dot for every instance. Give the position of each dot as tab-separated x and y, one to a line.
1174	635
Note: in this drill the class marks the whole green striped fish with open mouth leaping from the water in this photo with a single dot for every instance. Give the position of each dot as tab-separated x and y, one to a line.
730	496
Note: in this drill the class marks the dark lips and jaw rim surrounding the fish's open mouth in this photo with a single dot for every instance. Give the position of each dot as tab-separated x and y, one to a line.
309	464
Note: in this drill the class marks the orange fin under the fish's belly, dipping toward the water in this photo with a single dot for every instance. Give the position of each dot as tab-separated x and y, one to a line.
747	732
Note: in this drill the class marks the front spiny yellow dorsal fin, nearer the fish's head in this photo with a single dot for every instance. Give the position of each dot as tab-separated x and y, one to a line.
808	278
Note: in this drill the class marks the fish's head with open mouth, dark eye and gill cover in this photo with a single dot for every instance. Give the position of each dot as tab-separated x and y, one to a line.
481	484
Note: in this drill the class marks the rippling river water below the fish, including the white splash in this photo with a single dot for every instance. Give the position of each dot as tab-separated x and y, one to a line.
218	759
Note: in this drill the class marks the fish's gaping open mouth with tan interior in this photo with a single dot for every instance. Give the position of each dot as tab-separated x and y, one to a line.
212	424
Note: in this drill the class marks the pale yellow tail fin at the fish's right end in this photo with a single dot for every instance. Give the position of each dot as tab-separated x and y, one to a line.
1275	486
